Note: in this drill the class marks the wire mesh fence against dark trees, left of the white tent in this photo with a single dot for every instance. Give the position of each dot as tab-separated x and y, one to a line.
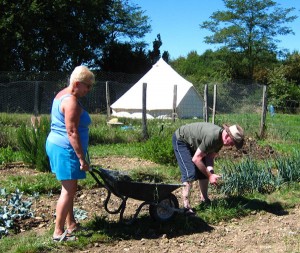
33	93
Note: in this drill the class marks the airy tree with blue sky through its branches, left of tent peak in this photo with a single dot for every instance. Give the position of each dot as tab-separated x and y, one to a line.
124	46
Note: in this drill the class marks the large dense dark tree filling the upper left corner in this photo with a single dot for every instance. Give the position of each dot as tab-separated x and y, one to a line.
50	35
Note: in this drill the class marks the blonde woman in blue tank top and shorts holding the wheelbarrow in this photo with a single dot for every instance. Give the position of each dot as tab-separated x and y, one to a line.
67	145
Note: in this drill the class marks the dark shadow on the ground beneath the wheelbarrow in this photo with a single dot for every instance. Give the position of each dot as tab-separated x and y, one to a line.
145	227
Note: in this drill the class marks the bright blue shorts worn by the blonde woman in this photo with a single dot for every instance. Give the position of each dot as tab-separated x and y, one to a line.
64	162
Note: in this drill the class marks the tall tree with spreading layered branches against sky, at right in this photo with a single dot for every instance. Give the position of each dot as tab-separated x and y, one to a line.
249	29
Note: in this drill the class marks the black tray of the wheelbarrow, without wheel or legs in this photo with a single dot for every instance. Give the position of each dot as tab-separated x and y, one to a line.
122	185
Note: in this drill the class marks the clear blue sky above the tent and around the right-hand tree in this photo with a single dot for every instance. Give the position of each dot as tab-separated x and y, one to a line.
177	22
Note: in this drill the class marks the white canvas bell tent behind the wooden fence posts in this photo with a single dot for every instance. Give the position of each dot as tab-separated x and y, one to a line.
161	79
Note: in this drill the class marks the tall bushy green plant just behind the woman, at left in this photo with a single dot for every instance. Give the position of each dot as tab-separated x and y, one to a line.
31	141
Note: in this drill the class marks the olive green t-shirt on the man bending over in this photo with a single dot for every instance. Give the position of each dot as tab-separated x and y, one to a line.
205	136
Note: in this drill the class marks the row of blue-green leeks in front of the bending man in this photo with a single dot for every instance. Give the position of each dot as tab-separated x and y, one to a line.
251	176
